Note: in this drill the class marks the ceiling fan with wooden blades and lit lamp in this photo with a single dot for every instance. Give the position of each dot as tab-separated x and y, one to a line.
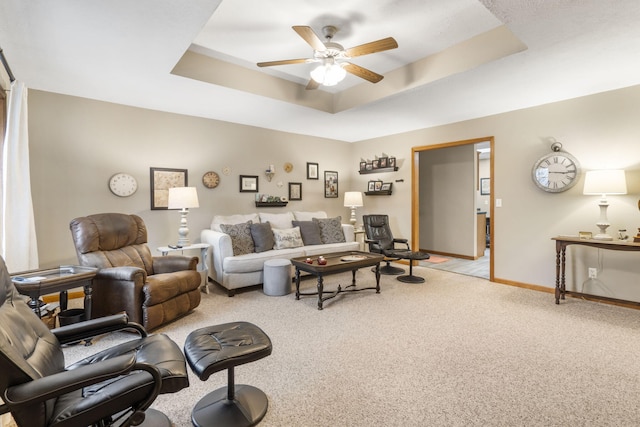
333	58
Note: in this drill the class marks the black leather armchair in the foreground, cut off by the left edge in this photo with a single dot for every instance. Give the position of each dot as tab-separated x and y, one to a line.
113	387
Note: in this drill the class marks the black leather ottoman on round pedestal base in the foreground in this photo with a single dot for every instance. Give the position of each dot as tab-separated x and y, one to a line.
214	348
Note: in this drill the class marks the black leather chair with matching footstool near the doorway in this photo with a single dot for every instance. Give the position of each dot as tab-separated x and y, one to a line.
381	240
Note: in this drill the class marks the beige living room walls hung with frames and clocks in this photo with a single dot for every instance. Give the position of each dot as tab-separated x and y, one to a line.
77	144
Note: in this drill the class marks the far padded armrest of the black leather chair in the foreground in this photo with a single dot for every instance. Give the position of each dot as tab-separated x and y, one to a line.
94	327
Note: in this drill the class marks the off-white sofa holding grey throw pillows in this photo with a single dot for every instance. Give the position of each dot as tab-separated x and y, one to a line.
238	271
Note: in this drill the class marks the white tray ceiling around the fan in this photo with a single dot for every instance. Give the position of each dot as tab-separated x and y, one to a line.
124	52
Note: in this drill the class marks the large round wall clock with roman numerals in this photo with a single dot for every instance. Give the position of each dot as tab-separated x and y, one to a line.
556	171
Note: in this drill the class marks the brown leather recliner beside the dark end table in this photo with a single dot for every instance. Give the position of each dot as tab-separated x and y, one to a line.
151	290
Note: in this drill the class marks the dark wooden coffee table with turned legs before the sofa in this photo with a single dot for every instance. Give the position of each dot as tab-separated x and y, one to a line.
337	263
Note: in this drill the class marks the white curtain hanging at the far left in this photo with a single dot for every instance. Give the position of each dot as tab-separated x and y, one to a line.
19	246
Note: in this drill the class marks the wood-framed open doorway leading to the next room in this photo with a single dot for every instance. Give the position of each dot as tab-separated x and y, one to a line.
445	194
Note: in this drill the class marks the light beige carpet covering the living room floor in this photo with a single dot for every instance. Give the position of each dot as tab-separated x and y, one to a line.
453	351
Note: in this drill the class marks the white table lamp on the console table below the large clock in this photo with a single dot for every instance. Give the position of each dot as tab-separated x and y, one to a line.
604	182
